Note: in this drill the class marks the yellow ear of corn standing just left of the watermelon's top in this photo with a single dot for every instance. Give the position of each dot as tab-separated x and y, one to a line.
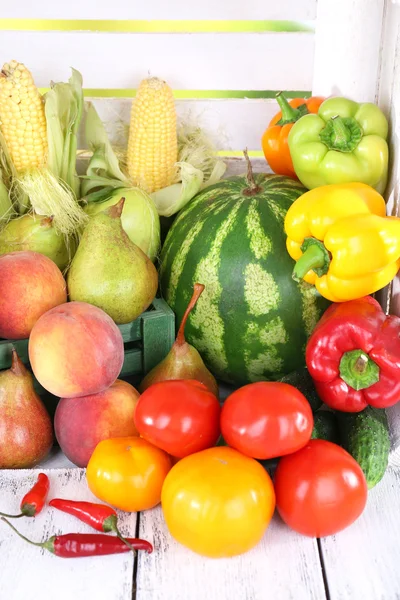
153	146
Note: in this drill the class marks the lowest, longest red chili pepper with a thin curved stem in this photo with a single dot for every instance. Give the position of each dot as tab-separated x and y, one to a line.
75	545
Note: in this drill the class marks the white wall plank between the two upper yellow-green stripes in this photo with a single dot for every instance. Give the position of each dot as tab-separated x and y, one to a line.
186	61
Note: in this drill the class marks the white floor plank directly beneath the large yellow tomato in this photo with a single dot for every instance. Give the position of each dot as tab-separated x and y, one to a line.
283	566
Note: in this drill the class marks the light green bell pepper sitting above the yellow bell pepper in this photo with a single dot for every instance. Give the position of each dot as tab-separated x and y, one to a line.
344	142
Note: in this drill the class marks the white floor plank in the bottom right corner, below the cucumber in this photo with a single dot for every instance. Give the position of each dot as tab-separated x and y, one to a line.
363	560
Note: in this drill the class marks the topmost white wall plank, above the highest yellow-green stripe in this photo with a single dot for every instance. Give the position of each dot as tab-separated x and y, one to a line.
159	9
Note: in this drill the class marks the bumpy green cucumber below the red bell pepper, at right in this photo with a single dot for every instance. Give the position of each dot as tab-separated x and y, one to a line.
365	435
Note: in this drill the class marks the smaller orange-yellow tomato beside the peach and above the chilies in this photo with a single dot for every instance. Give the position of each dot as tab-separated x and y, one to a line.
128	473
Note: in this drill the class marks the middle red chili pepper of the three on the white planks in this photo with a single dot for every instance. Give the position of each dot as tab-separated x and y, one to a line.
99	516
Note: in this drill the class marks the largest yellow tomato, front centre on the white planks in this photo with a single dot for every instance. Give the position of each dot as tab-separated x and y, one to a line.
218	502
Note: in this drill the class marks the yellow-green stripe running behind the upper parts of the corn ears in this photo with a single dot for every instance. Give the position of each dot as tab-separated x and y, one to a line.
193	94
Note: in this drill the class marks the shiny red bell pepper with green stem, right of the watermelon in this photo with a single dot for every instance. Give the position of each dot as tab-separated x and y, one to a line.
353	356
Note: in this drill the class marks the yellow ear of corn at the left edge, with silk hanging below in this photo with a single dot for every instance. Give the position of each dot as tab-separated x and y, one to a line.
22	117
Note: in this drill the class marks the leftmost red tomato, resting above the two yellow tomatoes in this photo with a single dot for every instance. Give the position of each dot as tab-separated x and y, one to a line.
179	416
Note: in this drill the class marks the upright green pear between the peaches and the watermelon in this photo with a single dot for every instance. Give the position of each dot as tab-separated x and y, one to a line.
110	271
